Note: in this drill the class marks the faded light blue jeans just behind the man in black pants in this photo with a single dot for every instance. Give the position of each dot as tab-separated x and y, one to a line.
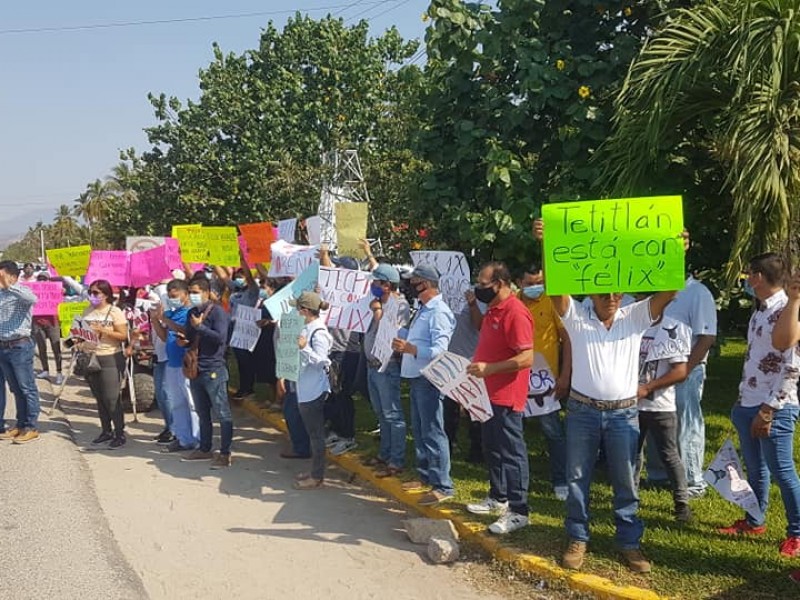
691	434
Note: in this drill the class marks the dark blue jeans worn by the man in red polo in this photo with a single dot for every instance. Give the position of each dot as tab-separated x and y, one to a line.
506	458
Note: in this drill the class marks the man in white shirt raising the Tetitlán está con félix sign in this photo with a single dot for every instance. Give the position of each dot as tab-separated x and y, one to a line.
602	412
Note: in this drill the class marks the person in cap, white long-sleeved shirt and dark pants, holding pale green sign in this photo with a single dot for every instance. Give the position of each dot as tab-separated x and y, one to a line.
313	386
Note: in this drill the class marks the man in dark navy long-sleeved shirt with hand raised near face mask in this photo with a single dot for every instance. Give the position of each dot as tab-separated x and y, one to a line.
207	327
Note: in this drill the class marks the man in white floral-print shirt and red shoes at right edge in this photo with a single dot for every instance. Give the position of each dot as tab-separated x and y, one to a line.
767	410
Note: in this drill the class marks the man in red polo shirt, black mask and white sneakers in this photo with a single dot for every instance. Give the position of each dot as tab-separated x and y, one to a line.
503	358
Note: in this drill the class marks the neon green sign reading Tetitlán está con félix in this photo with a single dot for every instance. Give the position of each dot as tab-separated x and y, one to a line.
623	245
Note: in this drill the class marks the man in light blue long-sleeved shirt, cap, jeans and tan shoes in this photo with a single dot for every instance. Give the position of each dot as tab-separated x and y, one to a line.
428	336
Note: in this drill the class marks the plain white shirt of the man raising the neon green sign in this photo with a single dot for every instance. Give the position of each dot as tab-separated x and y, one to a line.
605	362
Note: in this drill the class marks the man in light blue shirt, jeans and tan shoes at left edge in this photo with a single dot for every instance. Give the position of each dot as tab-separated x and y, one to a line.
16	352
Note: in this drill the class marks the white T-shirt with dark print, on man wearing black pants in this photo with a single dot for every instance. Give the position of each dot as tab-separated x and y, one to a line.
663	345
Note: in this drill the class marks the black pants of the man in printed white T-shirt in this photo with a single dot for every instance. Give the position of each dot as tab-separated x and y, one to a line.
663	428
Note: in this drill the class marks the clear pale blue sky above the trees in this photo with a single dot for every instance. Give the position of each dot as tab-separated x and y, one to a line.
73	91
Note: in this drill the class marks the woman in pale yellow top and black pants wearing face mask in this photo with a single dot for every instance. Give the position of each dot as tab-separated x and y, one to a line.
108	323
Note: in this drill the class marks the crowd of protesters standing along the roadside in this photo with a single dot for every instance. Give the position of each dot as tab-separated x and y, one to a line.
629	371
